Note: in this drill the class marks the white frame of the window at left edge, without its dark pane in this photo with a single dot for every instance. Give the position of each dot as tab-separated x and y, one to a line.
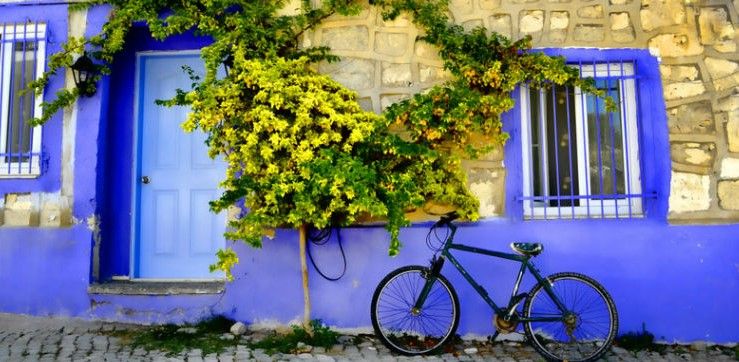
12	33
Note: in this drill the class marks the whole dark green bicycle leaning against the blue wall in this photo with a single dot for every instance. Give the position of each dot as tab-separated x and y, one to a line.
566	316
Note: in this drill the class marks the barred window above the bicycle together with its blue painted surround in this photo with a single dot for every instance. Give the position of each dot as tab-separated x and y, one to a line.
579	161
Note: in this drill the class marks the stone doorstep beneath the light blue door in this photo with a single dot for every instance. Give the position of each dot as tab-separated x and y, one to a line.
157	287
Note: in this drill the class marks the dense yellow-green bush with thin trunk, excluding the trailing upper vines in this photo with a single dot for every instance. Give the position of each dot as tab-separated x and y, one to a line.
301	152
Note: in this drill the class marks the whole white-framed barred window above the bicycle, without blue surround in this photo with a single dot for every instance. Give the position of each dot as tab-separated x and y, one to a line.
580	160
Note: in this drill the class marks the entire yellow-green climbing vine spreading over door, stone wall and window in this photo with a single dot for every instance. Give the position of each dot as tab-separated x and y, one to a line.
299	148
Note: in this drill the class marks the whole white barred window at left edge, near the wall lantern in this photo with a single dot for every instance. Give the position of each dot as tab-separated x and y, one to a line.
22	53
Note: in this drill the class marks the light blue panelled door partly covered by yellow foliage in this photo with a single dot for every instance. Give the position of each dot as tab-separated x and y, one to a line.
177	234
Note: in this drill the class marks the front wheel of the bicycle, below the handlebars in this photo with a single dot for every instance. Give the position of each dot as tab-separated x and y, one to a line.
404	329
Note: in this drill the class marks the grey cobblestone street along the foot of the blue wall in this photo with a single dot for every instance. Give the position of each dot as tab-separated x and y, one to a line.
24	338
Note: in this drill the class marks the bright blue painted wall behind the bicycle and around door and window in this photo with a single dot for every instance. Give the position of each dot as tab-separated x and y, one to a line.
682	281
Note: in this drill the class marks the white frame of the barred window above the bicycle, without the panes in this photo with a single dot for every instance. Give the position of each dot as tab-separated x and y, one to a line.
623	207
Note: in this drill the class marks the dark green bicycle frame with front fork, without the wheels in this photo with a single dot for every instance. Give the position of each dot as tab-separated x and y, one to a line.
437	264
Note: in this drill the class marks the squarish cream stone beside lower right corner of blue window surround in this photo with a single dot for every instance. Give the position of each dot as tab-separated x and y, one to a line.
689	192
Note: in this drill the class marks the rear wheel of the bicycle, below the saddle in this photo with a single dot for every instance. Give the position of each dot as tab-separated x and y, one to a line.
585	332
